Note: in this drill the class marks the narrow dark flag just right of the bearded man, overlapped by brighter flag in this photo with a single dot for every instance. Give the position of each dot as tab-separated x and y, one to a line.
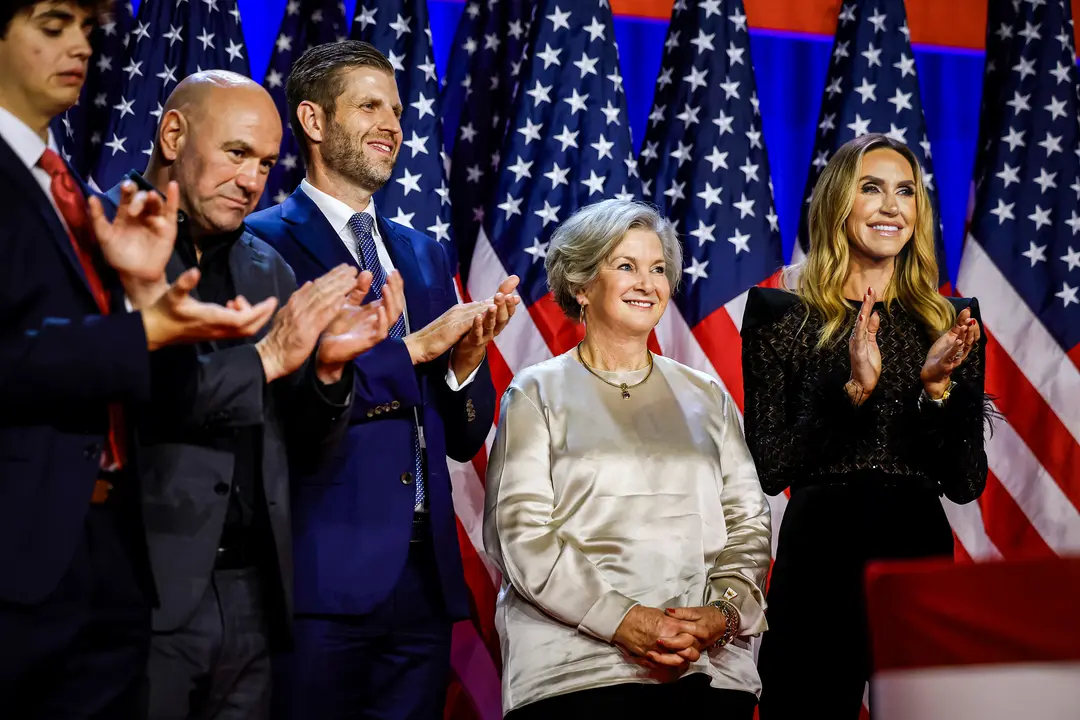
485	63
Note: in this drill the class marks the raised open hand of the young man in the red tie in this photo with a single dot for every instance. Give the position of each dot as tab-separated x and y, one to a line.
140	240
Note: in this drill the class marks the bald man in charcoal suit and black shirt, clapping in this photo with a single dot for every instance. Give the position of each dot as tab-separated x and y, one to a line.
215	443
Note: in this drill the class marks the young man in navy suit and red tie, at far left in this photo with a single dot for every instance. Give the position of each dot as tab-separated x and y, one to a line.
75	586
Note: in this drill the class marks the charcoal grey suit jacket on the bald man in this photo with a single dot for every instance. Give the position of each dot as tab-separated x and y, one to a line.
206	392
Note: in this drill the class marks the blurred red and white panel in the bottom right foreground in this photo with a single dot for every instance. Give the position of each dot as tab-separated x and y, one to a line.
943	650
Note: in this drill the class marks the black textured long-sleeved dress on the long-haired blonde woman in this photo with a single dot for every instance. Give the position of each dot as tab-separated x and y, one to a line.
866	484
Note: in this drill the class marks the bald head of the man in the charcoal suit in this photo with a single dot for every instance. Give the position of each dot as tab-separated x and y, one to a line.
220	135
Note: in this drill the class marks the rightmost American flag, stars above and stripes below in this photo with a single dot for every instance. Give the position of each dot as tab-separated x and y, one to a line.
1022	260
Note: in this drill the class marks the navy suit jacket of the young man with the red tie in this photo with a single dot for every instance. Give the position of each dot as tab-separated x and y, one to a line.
61	365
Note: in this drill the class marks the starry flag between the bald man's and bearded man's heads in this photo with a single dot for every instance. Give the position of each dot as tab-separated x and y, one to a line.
306	23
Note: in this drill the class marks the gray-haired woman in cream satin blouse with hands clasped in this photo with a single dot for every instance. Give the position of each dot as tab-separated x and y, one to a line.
623	505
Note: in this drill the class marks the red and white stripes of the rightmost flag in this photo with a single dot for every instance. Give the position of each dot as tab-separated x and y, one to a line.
1033	495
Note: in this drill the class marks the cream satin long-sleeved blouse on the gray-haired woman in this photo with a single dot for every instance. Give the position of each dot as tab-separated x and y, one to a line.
597	504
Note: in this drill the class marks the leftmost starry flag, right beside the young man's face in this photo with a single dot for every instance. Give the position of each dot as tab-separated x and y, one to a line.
79	130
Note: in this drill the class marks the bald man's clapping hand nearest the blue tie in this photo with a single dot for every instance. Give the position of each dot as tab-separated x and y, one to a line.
359	328
